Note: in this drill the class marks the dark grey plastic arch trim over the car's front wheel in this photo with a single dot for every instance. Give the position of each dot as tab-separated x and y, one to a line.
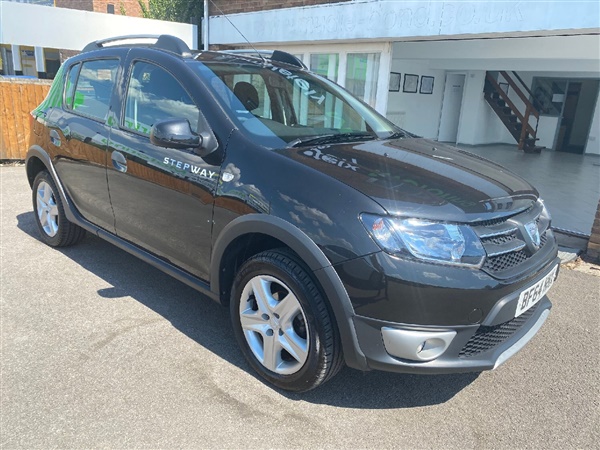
312	256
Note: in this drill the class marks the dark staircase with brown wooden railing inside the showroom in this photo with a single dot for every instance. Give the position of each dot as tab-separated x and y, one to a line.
527	136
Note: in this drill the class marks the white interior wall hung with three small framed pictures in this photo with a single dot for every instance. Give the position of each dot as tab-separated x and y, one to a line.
417	113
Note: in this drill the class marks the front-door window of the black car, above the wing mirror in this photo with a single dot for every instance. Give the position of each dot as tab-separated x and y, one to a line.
154	94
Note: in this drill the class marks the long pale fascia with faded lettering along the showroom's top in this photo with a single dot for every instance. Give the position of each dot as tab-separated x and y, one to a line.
363	19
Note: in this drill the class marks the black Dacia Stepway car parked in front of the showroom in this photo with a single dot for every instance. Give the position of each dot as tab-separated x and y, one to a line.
334	236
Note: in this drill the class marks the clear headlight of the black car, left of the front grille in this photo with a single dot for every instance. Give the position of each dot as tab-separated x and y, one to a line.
426	240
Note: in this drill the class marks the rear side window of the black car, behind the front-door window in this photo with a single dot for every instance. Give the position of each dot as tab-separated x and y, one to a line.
93	89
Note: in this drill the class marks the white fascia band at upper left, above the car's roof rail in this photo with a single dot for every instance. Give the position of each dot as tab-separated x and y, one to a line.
45	26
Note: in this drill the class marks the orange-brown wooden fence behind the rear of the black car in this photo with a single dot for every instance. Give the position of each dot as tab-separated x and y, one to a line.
18	97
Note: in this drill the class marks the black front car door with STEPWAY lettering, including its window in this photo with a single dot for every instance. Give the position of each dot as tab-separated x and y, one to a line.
162	198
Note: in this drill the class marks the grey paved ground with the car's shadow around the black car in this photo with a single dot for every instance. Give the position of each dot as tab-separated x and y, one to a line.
99	349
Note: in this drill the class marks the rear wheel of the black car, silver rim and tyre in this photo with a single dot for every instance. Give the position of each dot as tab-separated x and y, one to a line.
55	229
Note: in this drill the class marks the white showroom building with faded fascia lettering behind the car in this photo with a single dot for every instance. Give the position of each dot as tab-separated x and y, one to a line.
424	63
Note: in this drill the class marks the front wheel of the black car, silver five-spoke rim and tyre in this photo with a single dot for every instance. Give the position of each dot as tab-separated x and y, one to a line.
282	323
